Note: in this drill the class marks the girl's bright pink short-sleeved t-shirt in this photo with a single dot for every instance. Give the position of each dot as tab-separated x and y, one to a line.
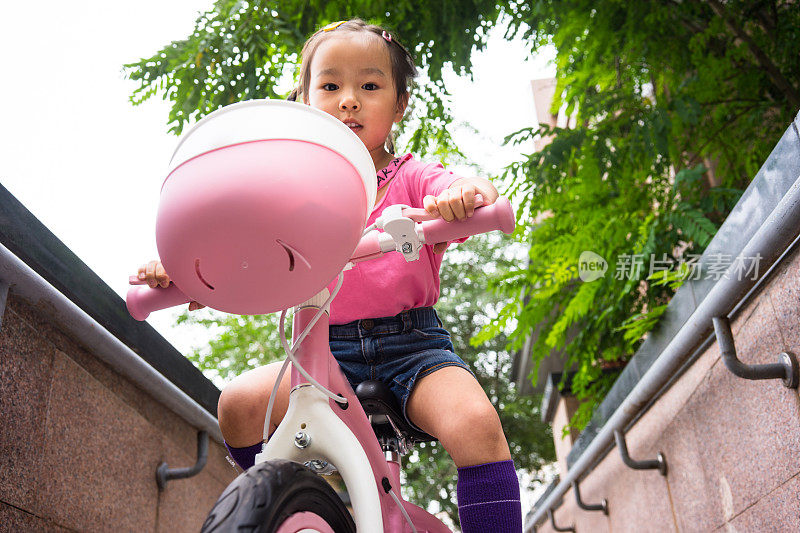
389	285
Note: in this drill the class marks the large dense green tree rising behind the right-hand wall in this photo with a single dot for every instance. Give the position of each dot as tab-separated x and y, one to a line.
676	105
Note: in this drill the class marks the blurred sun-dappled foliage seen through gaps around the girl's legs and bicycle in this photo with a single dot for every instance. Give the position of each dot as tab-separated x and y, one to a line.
465	306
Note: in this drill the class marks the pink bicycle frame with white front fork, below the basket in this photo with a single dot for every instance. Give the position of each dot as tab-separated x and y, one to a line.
341	436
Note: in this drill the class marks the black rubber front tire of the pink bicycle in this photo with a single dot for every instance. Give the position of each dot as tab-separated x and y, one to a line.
260	499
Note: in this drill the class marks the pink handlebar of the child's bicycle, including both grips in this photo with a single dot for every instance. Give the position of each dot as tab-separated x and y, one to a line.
141	300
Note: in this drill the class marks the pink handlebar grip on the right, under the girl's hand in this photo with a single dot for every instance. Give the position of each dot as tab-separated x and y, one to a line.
499	215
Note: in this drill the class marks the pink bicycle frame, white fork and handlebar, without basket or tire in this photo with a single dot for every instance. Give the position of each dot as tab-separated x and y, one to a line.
327	431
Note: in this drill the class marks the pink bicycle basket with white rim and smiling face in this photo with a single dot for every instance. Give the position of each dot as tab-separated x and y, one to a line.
263	205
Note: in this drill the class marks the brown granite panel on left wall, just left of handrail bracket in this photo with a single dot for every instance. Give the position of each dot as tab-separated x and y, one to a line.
100	457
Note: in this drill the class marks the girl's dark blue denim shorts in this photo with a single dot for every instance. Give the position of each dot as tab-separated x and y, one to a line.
396	350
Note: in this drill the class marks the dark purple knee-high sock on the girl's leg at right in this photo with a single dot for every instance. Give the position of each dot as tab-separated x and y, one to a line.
488	498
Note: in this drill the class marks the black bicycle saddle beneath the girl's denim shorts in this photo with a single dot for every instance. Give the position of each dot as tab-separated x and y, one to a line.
377	400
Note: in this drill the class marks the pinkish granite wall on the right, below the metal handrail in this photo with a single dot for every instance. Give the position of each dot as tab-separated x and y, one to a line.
732	446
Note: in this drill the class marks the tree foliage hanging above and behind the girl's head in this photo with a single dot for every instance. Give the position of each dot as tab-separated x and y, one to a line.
242	50
